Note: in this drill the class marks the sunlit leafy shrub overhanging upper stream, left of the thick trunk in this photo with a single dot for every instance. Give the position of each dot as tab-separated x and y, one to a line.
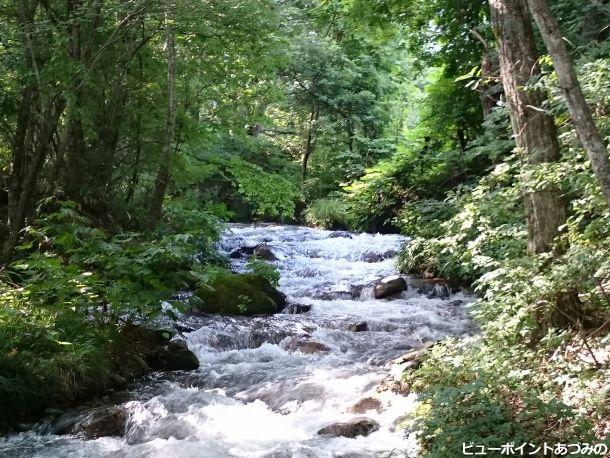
486	228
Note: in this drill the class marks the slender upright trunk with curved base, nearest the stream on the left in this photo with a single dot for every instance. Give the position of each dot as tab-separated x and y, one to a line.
164	173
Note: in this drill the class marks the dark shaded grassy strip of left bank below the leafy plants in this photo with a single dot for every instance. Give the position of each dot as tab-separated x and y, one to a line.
130	352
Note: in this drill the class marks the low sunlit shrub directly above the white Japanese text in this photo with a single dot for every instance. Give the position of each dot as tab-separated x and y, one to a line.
474	391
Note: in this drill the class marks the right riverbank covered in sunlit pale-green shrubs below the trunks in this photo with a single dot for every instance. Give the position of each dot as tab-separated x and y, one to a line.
539	370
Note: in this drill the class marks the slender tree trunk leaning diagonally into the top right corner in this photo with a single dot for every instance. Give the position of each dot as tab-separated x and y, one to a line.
581	114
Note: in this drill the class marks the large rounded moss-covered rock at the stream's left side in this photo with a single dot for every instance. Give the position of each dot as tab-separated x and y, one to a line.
239	294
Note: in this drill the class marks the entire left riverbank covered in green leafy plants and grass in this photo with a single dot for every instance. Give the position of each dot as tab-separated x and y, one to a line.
68	298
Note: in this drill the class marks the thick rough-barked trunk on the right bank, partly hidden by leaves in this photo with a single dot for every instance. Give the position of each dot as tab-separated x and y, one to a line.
534	130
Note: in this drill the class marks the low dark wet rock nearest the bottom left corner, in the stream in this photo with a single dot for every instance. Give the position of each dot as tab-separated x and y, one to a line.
100	422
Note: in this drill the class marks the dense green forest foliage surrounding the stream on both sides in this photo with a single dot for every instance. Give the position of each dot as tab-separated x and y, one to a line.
129	131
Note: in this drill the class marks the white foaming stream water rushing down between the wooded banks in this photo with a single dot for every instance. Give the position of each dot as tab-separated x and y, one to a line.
253	398
